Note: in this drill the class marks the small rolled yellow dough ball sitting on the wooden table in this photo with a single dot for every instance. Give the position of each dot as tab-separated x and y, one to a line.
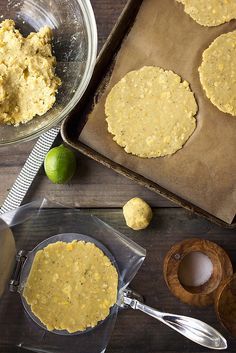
137	213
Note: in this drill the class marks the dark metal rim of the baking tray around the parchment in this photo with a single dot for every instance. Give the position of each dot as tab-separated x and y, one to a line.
73	124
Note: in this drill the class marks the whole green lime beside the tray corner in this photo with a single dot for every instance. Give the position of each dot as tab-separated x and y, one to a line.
60	164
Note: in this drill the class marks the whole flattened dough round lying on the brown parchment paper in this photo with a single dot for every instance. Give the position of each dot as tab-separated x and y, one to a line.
151	112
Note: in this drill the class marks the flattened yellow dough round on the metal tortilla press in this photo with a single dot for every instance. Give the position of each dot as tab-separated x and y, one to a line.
71	286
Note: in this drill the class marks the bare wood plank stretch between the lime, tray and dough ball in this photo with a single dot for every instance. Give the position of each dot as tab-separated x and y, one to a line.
95	186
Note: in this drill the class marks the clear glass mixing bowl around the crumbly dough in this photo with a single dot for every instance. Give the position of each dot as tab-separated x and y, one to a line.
75	48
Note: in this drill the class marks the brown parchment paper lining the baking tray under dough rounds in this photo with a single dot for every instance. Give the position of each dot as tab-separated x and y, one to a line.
204	171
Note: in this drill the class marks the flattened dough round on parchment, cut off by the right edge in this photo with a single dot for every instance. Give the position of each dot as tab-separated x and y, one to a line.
218	72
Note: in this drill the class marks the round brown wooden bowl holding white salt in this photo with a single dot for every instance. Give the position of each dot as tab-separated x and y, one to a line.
205	294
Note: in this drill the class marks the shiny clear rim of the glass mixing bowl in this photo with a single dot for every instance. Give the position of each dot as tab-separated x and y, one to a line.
91	27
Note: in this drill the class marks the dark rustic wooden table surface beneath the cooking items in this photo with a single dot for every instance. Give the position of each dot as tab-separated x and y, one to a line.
134	332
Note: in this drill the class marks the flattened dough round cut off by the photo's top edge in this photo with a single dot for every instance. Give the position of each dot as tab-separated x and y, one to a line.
210	12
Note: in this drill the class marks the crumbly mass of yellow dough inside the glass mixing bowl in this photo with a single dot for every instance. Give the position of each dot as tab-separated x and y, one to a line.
28	83
